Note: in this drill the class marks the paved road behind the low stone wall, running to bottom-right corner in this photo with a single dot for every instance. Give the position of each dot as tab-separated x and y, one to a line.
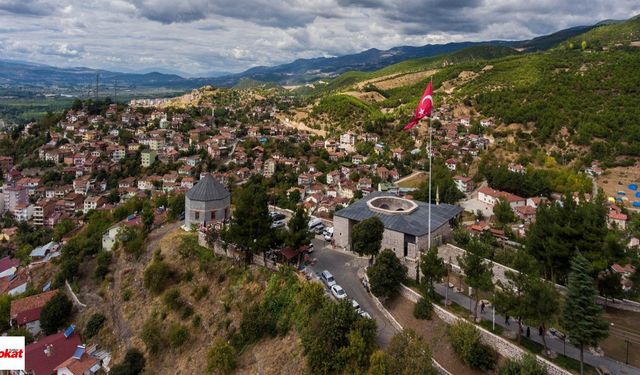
554	344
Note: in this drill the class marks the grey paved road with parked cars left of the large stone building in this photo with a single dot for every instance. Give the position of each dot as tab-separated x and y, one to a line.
344	267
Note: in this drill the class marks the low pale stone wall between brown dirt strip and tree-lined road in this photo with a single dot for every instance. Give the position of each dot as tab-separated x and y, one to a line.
501	345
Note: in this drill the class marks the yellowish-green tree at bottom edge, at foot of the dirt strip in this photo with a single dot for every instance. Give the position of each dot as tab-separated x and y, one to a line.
408	354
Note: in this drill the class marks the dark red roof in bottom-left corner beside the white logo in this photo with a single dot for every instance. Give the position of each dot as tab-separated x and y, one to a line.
62	349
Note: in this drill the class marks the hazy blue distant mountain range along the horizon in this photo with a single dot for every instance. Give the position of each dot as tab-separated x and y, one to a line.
19	73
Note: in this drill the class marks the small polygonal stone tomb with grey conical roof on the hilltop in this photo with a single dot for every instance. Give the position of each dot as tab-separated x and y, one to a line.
207	202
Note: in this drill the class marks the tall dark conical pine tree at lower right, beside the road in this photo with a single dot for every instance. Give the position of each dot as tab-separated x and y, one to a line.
582	317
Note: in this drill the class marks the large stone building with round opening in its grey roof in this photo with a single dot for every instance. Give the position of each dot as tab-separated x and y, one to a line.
406	228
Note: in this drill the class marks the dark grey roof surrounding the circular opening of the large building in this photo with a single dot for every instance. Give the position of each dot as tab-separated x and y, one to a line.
415	223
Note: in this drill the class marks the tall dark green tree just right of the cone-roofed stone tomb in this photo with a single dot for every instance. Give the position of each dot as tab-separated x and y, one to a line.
250	227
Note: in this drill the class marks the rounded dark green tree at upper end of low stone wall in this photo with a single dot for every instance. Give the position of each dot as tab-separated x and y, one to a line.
386	274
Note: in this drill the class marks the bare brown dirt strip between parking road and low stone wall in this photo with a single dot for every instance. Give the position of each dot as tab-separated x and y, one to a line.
434	331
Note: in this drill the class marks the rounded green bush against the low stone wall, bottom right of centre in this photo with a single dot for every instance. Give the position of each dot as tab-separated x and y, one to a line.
465	340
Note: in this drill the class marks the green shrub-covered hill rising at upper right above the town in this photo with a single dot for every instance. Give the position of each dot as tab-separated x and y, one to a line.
585	91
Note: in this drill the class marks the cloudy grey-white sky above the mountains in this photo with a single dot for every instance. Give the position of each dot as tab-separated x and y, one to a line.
201	36
